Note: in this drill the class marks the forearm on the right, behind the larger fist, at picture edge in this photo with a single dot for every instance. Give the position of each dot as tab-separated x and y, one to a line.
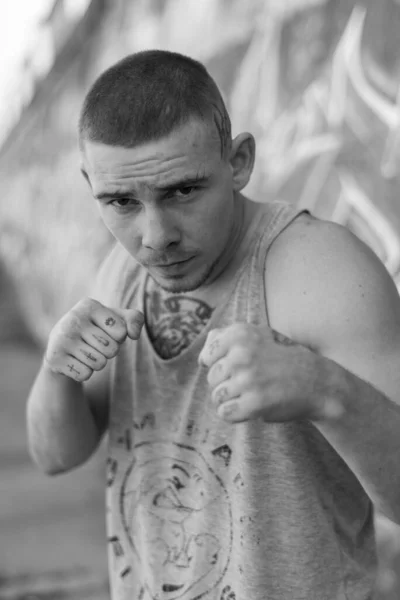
365	431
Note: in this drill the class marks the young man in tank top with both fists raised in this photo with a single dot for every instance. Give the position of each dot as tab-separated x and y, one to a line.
253	420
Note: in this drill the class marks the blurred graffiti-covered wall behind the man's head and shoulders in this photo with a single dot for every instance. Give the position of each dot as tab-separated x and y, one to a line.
315	81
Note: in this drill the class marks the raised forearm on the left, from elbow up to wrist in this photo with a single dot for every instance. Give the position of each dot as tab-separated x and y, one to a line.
62	432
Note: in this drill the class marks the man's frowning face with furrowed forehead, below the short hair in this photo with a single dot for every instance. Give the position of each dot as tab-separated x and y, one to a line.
169	202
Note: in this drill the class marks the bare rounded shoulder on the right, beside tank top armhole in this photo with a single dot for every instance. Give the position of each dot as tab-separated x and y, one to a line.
315	272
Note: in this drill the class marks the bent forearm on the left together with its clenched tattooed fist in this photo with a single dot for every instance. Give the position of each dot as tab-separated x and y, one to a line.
66	417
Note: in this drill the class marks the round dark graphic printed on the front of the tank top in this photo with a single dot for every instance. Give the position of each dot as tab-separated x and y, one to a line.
177	518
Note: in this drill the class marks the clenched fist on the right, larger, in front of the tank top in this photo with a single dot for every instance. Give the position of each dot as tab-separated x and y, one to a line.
255	372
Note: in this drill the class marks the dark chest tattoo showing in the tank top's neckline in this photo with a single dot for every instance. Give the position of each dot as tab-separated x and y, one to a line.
174	321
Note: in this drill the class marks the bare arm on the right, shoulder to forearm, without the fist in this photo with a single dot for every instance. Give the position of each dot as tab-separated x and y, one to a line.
338	299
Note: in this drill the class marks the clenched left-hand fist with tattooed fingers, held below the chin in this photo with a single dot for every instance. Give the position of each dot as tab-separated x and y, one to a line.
88	336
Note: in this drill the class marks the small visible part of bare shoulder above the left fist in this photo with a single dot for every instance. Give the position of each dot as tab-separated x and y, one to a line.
117	275
